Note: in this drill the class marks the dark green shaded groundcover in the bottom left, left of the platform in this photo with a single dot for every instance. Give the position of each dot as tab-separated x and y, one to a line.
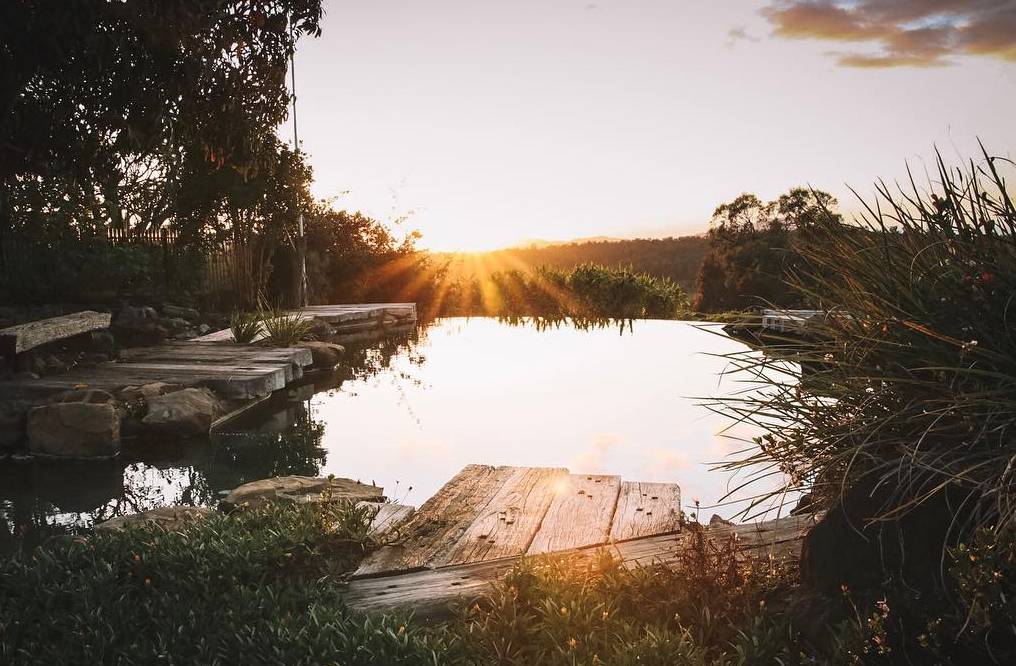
251	587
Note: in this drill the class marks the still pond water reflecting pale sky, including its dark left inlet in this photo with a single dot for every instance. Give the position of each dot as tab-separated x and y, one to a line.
410	411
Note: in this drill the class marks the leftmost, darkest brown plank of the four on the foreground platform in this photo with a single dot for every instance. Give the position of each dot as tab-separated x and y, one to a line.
437	526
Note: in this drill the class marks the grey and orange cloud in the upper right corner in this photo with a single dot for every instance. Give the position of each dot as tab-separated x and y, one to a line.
902	33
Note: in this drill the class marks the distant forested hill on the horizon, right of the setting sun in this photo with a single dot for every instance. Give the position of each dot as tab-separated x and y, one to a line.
678	259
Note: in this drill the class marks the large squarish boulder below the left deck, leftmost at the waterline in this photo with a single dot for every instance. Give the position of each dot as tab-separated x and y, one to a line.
75	430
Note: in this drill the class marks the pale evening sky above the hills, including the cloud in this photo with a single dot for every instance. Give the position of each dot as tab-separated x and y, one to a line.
497	122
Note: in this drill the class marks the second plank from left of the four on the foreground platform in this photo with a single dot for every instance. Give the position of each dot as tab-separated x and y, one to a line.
506	526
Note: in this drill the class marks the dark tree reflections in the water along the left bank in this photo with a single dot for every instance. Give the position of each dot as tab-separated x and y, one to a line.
43	499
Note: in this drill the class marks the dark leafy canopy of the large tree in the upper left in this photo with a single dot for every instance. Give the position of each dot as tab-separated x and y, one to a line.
107	108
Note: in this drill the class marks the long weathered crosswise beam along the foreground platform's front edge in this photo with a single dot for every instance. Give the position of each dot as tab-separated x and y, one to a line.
430	593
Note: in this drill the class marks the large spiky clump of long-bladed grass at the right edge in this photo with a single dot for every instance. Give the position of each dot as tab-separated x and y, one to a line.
907	386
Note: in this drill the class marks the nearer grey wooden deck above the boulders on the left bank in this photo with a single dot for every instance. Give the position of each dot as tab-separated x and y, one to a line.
232	371
